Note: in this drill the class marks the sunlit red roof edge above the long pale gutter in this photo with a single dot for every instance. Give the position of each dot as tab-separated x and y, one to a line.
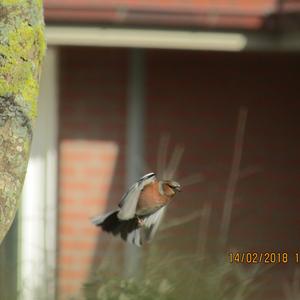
201	13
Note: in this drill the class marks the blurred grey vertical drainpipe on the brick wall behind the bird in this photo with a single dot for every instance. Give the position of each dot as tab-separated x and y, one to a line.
135	142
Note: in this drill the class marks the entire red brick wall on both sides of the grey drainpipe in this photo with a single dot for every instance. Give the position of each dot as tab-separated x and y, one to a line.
194	97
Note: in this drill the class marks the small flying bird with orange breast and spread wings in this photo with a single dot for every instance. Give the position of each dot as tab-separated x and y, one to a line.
140	210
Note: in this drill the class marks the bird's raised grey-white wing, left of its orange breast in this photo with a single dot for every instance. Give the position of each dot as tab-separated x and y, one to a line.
129	201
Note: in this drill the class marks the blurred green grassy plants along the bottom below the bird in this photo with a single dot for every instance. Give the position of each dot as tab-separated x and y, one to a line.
174	276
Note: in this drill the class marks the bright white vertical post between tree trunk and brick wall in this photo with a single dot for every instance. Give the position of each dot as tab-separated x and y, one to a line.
37	253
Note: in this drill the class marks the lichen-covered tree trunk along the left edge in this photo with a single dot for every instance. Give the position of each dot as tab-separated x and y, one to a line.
22	48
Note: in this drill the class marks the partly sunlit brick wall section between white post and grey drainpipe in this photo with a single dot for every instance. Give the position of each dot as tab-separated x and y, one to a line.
92	141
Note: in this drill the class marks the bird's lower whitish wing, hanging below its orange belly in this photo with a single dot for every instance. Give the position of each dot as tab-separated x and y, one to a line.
145	234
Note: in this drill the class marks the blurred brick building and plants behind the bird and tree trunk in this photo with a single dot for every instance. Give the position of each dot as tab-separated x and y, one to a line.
125	82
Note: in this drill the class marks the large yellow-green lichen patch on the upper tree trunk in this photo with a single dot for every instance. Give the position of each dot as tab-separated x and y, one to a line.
19	70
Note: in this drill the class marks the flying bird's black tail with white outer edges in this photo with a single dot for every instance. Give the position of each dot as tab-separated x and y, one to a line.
128	229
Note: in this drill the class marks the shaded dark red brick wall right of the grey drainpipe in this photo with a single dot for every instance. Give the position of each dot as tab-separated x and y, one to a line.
196	99
